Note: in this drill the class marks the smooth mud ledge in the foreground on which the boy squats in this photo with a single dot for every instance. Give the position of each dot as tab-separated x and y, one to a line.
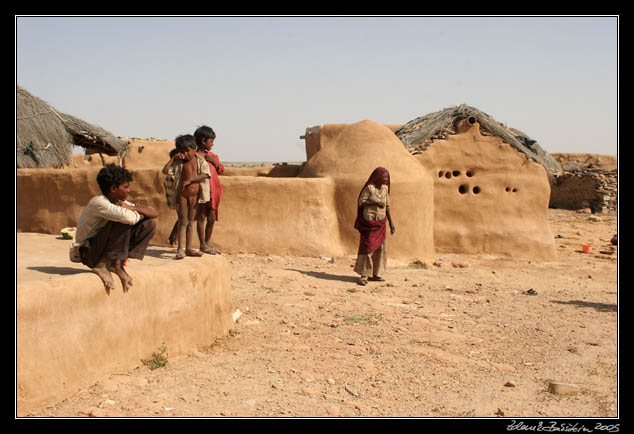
70	333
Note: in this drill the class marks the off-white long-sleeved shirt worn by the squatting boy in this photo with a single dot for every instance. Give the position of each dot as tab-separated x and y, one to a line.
98	213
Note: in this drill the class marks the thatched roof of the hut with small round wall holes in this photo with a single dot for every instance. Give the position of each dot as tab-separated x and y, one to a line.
419	133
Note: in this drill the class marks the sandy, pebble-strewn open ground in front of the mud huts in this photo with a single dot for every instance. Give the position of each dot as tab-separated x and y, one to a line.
462	337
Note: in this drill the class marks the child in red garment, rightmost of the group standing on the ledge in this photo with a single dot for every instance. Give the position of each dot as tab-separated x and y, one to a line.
208	211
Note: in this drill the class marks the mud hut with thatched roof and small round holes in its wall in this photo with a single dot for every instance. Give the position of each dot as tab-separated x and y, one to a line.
491	183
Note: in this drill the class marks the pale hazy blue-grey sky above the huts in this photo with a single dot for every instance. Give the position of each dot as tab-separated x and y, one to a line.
260	81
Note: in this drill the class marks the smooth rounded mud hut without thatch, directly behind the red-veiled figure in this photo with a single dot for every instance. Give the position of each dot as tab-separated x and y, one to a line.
347	154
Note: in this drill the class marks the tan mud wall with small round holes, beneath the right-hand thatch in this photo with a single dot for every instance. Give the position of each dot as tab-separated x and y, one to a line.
488	197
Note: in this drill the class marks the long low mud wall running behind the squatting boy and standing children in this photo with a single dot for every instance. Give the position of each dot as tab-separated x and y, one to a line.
283	216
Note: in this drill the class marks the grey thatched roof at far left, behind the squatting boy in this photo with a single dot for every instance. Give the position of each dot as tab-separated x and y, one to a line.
45	137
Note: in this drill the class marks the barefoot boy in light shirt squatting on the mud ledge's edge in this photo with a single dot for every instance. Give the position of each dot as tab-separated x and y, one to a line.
111	229
